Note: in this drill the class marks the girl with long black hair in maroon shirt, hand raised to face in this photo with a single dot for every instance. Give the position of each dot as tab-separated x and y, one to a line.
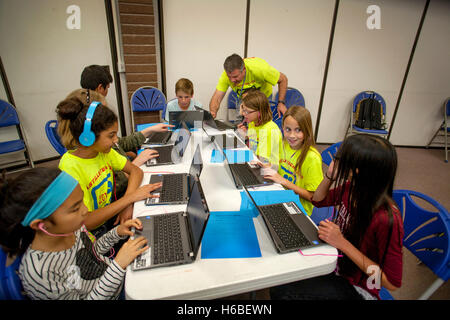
368	228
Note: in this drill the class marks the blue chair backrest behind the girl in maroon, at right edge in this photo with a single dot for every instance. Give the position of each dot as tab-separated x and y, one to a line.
426	232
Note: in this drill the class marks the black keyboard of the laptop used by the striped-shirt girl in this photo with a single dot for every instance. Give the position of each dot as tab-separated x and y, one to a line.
167	246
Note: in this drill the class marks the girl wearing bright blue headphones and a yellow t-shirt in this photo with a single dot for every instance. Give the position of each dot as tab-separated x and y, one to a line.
93	163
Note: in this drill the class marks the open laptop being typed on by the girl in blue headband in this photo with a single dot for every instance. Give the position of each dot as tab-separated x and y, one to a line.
173	238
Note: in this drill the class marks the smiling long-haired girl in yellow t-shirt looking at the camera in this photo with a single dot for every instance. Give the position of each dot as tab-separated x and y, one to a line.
300	167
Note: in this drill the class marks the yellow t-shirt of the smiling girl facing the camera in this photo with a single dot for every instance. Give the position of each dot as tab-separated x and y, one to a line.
311	171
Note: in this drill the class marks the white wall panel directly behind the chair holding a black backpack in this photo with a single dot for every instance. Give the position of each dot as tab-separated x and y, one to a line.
364	59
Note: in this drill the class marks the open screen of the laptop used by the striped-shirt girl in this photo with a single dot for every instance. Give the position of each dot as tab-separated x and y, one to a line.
198	215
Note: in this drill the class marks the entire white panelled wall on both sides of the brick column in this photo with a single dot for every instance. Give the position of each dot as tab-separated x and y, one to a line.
43	59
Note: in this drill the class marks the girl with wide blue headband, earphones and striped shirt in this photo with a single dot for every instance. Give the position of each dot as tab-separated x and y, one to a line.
41	216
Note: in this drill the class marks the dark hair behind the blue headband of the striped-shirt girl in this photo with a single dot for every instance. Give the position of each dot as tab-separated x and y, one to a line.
17	196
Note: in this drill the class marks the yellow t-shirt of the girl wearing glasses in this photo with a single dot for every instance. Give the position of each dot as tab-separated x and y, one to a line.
265	141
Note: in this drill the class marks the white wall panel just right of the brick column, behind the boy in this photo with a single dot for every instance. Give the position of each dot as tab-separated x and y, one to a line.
198	36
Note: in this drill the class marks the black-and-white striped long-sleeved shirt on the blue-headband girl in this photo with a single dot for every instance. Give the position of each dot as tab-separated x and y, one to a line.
78	273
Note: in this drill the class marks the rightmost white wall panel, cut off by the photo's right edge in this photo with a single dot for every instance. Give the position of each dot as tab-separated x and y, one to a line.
427	87
